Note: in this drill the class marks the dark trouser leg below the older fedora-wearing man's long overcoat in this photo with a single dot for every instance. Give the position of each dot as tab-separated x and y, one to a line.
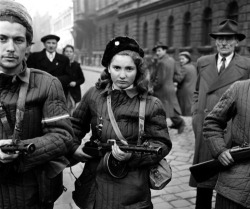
204	198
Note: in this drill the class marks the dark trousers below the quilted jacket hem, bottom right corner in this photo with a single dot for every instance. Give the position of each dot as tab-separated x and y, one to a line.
224	203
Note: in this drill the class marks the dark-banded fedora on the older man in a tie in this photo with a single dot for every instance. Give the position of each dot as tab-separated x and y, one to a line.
228	27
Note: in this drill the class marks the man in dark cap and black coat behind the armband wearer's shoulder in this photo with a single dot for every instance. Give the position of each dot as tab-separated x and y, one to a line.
50	61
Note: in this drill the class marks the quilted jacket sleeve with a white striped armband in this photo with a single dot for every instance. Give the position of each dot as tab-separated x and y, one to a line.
57	138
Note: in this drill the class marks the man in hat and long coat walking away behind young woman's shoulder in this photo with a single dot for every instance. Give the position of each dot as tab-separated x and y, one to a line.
164	88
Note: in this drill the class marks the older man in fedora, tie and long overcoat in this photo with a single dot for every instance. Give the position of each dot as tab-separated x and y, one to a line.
216	73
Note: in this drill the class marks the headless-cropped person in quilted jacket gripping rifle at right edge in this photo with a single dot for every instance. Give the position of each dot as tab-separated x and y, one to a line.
232	186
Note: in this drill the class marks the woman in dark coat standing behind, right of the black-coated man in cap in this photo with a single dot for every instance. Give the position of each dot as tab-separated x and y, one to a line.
77	78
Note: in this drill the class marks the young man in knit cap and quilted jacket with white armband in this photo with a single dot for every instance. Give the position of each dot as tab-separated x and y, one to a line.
35	130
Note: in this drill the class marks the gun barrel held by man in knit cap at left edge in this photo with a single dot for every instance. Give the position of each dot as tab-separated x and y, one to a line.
21	147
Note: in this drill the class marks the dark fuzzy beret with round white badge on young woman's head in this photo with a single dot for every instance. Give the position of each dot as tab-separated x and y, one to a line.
118	44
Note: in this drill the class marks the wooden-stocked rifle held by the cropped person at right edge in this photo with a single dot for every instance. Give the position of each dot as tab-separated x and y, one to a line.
203	171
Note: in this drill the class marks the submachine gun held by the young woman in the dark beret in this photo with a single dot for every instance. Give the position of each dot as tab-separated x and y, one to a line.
98	149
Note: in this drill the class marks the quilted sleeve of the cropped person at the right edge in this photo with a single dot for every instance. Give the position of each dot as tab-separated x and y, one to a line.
216	121
